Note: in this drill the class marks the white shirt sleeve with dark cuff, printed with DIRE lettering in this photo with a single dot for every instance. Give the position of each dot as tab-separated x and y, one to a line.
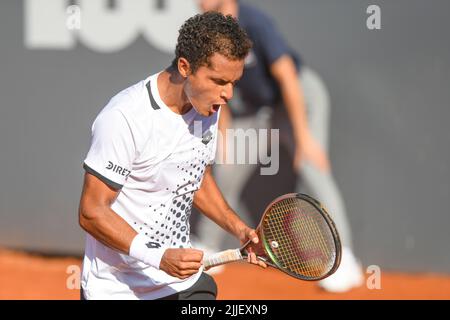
112	149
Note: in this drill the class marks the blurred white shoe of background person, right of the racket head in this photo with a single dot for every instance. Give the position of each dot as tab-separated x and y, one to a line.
348	276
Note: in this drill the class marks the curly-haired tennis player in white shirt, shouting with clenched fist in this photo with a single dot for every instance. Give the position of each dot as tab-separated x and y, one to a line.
149	162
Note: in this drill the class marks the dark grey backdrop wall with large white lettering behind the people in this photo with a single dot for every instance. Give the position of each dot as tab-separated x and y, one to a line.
61	61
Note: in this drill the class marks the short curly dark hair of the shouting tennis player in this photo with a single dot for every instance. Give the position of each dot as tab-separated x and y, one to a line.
211	32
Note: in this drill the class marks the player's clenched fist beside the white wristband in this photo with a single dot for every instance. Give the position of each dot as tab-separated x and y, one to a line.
181	263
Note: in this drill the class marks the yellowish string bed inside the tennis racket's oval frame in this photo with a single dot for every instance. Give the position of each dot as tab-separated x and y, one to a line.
299	238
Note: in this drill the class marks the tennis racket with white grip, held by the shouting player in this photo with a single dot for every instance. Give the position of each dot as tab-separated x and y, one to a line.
297	236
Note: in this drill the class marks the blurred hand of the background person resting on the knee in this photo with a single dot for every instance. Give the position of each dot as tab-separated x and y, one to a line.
310	150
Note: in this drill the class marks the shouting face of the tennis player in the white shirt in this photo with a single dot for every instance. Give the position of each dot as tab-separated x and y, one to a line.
212	86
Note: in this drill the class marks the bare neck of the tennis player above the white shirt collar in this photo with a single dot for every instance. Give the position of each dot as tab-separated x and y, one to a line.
170	85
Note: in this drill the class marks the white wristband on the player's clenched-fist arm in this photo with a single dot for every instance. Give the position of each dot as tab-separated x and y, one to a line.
142	250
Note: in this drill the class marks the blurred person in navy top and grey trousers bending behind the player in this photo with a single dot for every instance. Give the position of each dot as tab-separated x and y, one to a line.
277	87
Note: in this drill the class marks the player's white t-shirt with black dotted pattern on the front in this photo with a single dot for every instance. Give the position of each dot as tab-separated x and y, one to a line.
157	159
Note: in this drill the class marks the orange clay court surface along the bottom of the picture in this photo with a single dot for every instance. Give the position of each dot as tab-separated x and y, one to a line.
25	276
